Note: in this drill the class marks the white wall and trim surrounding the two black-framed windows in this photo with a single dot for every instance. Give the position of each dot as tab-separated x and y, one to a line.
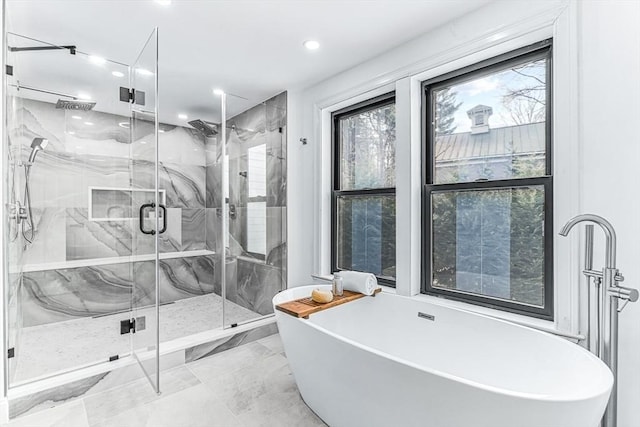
597	143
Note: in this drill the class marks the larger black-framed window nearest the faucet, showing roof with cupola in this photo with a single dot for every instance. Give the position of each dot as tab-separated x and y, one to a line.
487	200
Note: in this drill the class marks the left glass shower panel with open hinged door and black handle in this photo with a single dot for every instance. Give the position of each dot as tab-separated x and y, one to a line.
83	208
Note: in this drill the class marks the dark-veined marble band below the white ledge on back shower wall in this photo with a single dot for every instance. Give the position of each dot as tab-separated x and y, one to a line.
64	294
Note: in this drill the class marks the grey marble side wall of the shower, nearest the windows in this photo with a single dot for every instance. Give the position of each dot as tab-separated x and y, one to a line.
258	276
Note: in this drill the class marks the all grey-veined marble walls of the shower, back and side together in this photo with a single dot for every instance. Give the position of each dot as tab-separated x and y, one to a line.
78	265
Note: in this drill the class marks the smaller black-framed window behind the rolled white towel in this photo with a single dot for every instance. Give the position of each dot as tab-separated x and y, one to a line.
363	204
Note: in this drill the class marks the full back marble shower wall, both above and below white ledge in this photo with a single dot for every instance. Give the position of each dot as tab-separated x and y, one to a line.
96	151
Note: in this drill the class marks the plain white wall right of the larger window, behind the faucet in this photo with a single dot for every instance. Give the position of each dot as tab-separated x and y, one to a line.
610	156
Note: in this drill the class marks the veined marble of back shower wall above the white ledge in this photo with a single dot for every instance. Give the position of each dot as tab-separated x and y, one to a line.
102	156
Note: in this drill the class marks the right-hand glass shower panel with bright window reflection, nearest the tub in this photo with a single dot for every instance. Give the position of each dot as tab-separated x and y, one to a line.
254	181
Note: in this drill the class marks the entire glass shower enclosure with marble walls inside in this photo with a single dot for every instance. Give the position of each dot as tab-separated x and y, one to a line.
131	233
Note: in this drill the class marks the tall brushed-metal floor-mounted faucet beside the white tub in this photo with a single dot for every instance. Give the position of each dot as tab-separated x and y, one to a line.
606	310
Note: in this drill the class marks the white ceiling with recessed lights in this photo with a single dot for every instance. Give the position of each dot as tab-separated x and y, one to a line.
248	48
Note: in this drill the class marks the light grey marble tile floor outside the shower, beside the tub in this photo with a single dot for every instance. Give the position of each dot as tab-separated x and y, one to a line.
247	386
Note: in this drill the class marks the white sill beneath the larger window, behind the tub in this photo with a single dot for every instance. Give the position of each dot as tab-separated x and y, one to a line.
531	322
